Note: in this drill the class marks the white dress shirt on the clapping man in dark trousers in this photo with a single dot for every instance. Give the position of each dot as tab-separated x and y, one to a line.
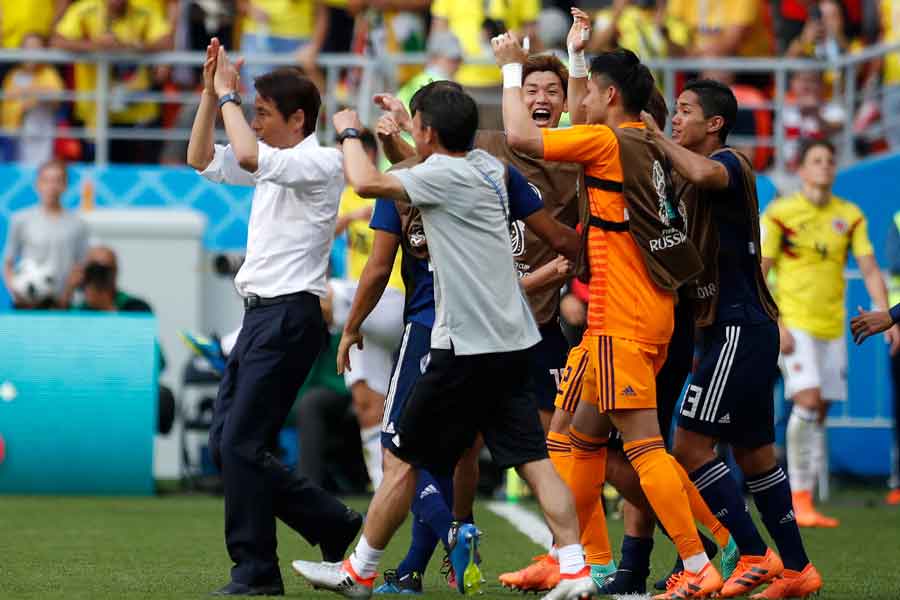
292	217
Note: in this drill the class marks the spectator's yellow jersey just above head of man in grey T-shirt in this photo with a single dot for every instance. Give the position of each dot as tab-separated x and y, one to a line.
465	18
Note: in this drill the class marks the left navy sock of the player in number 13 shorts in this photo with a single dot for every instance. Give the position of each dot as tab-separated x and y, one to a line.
723	496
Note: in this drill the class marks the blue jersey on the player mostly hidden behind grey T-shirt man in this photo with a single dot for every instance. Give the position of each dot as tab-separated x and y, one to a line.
418	277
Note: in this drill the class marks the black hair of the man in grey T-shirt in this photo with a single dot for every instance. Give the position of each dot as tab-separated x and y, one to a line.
451	112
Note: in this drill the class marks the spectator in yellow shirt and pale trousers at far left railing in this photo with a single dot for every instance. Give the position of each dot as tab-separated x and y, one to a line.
25	111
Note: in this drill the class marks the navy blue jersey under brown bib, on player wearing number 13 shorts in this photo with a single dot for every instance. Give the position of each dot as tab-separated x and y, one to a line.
738	298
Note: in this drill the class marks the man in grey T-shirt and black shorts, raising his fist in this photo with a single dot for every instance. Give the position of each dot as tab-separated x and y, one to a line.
483	326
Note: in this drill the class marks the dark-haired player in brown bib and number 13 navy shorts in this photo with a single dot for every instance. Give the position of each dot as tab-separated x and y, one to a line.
731	393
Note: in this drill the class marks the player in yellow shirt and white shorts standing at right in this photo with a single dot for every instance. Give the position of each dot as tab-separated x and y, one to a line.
807	238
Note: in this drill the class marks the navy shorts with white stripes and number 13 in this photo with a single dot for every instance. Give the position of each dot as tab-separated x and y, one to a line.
731	395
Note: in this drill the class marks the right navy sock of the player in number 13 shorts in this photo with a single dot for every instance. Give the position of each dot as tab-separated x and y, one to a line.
772	494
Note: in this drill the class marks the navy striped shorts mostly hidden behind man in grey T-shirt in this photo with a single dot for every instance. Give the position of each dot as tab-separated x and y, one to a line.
409	367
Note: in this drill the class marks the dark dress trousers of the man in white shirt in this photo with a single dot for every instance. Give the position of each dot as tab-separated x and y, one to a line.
273	355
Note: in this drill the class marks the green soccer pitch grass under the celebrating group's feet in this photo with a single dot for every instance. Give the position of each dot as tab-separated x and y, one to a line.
172	547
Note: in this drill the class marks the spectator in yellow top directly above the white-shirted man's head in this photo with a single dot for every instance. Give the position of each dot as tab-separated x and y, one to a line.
282	27
